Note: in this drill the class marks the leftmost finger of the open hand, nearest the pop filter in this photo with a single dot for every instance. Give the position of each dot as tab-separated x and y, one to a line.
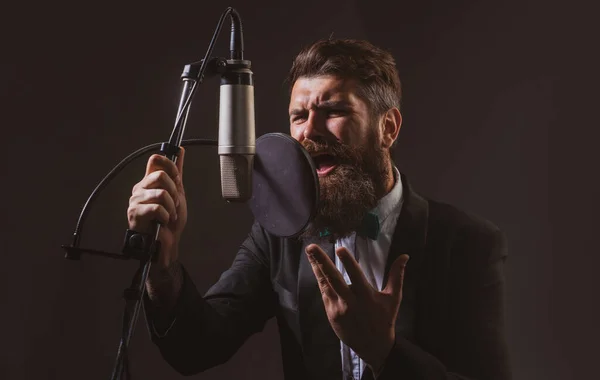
327	273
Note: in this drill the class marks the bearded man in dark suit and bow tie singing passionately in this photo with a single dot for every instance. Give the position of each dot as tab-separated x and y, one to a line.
347	303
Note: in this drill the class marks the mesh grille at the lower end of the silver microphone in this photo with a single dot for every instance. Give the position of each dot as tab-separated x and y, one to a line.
236	177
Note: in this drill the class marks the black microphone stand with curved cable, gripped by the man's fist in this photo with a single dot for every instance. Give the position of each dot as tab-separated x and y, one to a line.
145	246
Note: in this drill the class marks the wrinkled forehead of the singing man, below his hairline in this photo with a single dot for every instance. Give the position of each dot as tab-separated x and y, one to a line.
310	91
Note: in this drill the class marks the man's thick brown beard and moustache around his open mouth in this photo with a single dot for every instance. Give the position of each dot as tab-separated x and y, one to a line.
352	189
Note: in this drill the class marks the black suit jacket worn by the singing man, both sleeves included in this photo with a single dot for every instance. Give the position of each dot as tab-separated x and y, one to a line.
450	323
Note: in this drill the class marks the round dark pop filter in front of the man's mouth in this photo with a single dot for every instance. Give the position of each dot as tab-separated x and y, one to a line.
285	185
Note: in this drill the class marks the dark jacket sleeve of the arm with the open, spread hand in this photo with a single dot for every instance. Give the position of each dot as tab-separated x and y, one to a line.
473	346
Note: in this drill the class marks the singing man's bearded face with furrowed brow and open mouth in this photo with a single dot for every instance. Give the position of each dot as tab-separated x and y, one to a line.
334	125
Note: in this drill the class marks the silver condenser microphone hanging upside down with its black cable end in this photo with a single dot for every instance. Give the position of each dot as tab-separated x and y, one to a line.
237	136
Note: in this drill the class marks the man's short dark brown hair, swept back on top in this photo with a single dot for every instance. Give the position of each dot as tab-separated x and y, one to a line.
373	68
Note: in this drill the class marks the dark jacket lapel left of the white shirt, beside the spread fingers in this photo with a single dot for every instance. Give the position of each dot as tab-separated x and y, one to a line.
320	345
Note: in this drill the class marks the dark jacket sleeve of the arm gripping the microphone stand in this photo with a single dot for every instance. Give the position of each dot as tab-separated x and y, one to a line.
207	331
